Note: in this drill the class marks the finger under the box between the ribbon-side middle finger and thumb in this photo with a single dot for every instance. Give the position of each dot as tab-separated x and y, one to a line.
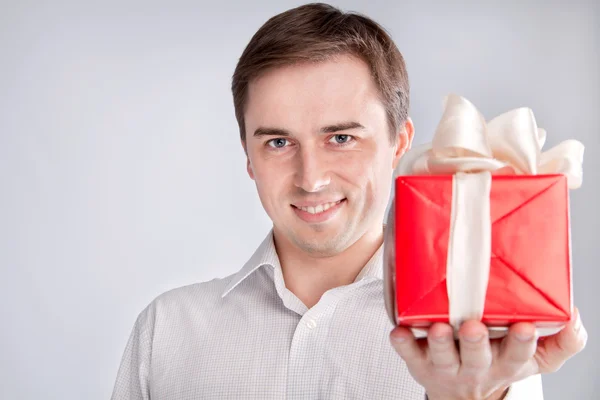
517	350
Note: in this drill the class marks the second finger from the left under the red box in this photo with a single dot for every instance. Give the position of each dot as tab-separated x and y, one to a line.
442	349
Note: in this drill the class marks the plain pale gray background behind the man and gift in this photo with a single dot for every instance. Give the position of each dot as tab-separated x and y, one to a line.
122	175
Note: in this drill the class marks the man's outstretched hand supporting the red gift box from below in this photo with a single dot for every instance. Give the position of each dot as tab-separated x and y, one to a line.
481	368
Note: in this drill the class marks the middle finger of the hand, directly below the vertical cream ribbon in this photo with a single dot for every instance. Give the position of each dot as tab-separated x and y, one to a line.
475	350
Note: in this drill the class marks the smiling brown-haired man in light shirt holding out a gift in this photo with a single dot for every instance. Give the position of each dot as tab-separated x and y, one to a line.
322	100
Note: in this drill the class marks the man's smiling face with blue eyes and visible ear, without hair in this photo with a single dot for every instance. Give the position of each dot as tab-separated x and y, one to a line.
319	150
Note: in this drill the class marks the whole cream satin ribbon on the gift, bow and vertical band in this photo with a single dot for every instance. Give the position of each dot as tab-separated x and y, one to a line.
472	150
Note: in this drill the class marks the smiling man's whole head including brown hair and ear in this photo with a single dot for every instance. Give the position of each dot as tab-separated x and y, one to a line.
321	98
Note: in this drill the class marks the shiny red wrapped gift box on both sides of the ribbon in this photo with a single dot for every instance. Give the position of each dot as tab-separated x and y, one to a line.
530	265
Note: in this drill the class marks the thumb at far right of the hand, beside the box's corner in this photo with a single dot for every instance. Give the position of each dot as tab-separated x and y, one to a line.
554	350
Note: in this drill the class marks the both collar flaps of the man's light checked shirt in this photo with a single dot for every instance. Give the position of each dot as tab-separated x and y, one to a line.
266	254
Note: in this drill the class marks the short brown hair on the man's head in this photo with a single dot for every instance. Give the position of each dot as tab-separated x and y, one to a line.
316	32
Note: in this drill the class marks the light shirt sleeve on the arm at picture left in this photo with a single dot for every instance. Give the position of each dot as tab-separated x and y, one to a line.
132	381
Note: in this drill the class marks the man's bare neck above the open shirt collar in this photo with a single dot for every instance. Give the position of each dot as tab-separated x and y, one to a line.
309	276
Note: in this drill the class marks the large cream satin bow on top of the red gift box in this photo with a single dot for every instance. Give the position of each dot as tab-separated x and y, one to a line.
511	143
